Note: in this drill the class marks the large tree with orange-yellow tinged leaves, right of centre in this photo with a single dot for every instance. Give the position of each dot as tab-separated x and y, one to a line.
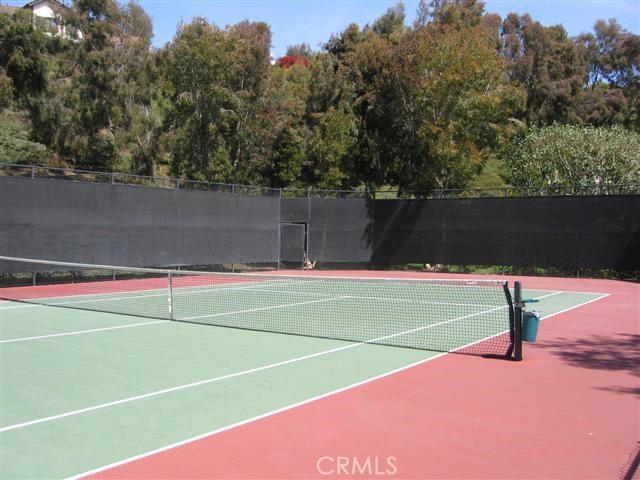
463	108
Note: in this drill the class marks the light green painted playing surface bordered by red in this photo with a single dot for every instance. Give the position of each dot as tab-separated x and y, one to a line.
83	389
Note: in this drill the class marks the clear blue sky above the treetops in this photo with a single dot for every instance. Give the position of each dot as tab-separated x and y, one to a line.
313	21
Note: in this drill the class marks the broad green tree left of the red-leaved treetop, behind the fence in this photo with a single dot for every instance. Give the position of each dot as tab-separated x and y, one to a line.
215	82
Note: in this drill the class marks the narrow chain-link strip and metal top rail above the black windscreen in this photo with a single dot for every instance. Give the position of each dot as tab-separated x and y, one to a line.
308	192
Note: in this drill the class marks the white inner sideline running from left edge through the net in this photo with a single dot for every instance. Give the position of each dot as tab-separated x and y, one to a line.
231	375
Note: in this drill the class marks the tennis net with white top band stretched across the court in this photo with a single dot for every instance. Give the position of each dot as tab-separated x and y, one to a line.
464	316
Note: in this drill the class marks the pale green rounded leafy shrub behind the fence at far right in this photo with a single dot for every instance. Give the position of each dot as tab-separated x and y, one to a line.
571	155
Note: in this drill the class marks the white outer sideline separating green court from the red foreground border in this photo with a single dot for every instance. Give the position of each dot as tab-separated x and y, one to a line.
289	407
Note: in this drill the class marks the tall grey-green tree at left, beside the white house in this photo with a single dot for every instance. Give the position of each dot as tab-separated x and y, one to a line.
99	108
